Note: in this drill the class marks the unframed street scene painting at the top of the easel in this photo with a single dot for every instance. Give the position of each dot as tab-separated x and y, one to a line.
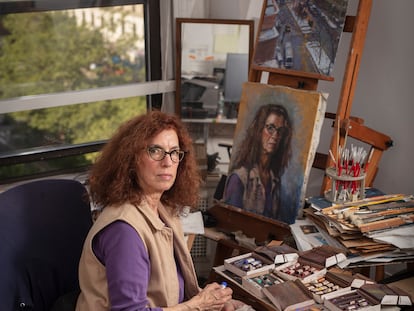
299	37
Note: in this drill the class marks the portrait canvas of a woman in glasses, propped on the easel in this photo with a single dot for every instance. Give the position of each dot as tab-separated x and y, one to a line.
274	146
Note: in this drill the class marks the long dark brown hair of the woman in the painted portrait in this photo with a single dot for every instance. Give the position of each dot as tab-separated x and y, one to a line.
249	151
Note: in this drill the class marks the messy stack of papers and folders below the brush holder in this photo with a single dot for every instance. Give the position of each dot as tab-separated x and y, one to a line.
379	226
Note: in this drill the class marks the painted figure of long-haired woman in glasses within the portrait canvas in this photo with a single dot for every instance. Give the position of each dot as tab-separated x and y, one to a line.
254	182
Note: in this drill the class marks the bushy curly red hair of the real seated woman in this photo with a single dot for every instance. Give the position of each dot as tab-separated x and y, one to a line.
113	178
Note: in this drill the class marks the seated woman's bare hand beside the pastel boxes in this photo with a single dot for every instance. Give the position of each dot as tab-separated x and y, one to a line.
212	297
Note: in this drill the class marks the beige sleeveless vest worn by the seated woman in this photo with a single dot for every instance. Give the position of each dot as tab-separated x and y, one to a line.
161	241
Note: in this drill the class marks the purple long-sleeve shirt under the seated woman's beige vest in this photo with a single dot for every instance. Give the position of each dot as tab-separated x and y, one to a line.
121	250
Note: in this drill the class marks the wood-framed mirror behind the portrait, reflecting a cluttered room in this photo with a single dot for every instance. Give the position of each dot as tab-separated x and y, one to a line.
212	58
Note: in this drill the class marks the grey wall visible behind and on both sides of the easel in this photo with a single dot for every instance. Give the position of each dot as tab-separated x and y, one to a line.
383	96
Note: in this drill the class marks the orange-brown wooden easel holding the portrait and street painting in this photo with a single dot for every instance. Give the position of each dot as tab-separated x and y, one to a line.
235	219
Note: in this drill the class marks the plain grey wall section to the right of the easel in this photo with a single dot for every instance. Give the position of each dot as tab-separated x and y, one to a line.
384	96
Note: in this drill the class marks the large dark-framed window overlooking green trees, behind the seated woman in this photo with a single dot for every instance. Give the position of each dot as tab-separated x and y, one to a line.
69	75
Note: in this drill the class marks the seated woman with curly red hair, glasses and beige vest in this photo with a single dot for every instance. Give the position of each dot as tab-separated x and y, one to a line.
135	256
